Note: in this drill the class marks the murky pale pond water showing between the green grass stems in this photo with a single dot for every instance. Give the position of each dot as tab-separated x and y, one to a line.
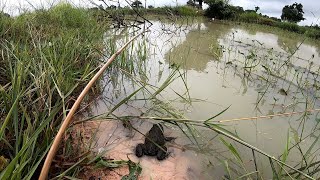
255	70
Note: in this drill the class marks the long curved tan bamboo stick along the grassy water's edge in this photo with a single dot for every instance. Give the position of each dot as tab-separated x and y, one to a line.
67	121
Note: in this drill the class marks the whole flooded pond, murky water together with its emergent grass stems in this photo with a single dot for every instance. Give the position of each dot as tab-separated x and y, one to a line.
262	84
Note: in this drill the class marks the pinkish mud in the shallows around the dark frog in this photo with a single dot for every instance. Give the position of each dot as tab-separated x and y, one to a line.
119	143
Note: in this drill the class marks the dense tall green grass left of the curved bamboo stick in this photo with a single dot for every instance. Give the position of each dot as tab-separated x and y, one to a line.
46	57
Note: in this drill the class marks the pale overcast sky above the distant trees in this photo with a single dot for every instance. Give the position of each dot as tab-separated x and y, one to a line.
268	7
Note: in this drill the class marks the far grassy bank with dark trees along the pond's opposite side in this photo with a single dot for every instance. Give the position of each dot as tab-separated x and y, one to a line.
219	9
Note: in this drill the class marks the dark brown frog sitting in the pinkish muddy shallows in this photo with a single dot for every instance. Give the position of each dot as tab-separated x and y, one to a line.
154	144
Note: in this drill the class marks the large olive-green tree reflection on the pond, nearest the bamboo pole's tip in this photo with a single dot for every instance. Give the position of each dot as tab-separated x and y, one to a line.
200	47
